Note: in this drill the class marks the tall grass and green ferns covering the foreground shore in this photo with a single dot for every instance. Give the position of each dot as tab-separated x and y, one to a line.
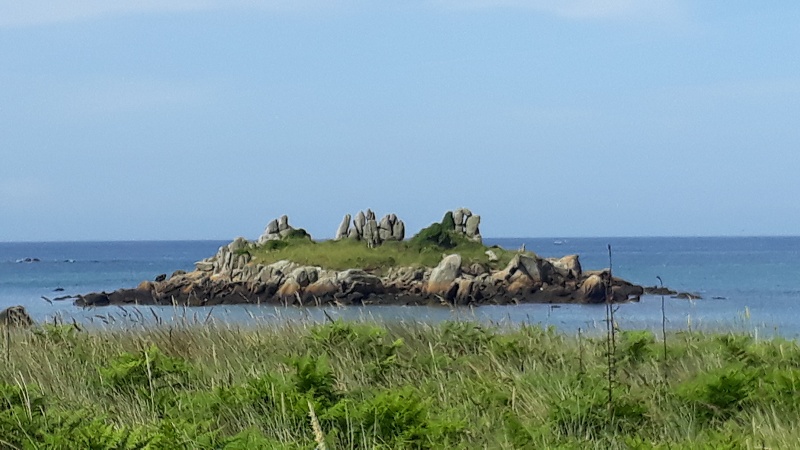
367	385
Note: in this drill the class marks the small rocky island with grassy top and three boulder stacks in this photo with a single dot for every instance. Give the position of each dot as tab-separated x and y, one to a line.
370	262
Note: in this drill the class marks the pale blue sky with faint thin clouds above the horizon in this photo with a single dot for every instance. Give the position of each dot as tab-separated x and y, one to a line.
206	119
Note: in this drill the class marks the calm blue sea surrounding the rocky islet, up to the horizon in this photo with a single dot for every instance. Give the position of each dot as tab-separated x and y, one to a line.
747	284
